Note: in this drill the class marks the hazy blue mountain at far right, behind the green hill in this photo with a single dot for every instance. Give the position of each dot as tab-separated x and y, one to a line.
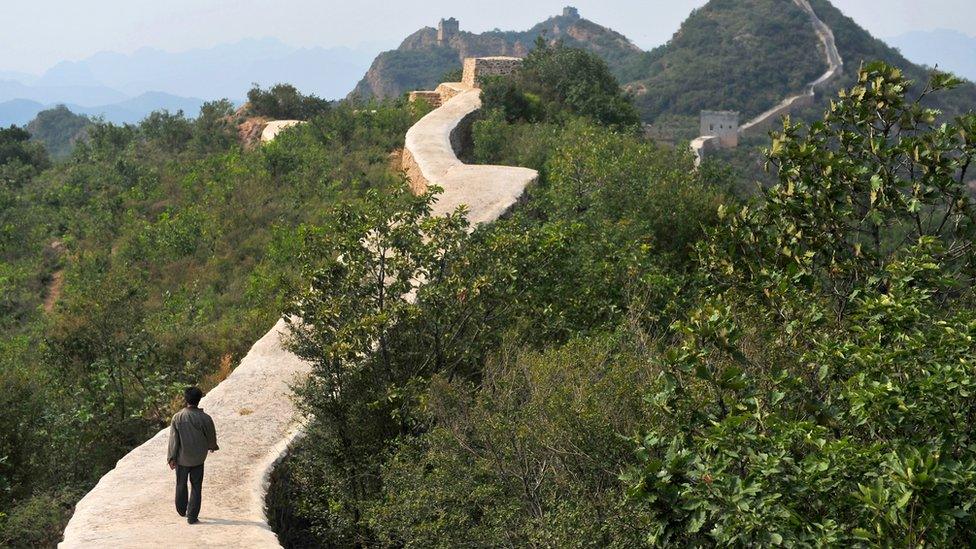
951	50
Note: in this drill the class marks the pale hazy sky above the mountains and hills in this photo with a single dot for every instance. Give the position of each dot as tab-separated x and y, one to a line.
39	33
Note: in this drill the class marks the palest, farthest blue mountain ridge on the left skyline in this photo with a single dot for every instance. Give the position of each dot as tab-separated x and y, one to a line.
224	71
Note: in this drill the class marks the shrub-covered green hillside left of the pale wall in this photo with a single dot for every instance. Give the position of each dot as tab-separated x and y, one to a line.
151	258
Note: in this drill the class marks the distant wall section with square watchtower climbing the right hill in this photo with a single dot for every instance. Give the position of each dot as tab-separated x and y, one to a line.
711	140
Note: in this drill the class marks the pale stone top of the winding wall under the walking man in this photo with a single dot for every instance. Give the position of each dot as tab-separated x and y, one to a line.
132	506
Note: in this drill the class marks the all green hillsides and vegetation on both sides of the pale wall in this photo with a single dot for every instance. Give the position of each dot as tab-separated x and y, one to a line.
637	355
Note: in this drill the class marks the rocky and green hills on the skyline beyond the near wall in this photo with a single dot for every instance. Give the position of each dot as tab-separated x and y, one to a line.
742	55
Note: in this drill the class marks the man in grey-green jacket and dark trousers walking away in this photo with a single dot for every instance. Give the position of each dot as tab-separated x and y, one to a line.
191	435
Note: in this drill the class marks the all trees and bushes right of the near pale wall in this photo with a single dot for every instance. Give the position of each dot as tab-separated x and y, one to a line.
635	357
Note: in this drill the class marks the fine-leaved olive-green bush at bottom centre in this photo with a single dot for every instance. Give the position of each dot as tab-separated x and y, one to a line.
529	458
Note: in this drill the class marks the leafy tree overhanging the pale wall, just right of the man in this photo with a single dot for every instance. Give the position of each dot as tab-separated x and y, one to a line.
362	269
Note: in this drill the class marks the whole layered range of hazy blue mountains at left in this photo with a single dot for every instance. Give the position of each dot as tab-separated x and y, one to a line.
127	87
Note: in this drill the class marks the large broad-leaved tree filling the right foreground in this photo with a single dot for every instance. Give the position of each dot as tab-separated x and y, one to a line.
819	393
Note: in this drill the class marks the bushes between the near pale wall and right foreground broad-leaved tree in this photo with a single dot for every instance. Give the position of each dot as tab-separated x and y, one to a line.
417	404
